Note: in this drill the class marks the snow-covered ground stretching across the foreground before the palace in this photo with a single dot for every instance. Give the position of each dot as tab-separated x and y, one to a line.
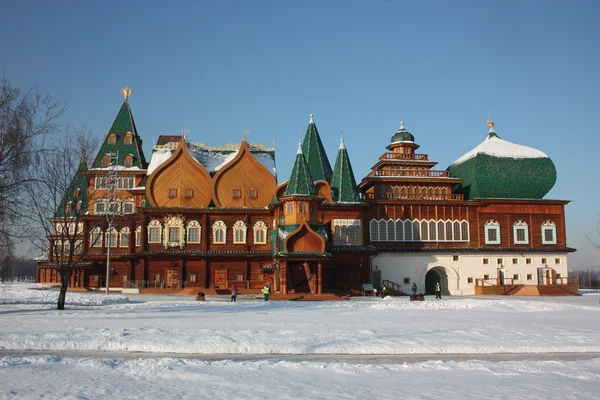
93	323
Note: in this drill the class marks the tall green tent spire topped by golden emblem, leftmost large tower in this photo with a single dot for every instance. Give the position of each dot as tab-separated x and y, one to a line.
123	125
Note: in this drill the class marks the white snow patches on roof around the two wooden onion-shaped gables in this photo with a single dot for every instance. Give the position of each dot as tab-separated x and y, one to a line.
213	158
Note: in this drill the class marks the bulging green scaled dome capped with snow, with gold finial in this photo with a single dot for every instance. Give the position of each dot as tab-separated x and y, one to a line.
500	169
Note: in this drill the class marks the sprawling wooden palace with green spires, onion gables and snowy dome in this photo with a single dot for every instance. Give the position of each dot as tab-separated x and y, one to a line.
207	217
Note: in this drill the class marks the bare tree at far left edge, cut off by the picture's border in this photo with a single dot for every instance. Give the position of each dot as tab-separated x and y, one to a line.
27	118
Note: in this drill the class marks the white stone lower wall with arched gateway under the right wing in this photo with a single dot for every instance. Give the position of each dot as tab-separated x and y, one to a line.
397	267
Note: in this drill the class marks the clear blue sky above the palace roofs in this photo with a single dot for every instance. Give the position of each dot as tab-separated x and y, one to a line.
443	67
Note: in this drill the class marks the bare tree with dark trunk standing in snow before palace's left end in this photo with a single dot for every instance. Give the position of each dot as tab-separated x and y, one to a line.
59	196
